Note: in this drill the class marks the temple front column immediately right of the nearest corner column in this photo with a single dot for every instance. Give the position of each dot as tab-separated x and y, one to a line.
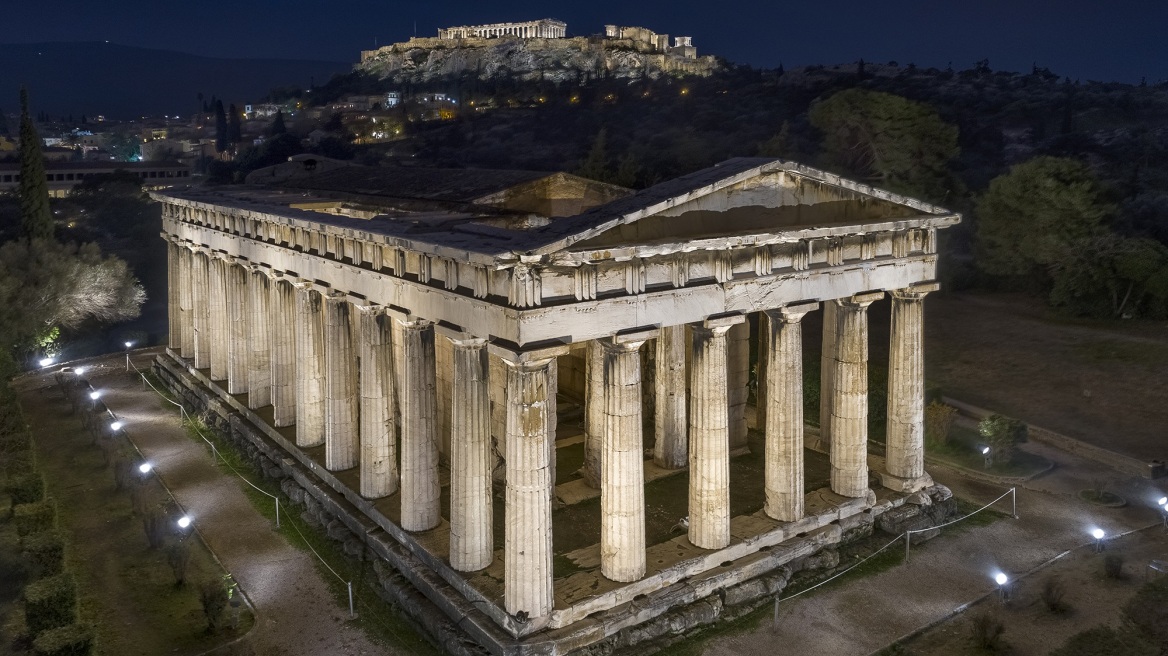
623	464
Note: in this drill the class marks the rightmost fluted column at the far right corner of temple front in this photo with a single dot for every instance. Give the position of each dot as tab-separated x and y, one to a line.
906	437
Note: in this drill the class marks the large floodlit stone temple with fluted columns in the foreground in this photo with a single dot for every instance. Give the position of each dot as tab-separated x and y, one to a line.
460	365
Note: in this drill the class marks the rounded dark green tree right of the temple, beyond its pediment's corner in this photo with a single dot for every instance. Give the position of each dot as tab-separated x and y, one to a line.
1031	217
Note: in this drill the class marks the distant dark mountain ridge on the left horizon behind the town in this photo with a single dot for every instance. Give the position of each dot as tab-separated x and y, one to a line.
123	82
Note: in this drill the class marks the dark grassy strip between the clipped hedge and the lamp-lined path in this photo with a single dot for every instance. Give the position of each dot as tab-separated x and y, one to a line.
127	590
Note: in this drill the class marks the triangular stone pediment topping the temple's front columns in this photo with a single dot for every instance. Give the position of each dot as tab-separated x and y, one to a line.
739	198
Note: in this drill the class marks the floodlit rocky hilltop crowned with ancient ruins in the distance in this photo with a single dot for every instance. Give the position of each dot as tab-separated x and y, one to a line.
537	51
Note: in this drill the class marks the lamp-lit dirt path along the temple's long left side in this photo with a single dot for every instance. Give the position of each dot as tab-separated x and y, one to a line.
296	613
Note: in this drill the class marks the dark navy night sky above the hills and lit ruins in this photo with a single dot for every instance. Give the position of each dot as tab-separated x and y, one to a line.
1089	40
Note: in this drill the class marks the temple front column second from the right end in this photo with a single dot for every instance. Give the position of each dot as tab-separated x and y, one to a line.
850	404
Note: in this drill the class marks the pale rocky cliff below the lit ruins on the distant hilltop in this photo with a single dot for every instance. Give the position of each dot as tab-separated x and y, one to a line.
554	60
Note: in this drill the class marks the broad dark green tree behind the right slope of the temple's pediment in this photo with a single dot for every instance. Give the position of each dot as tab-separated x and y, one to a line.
889	141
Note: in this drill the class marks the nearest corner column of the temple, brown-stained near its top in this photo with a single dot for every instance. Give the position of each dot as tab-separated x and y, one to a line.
527	553
